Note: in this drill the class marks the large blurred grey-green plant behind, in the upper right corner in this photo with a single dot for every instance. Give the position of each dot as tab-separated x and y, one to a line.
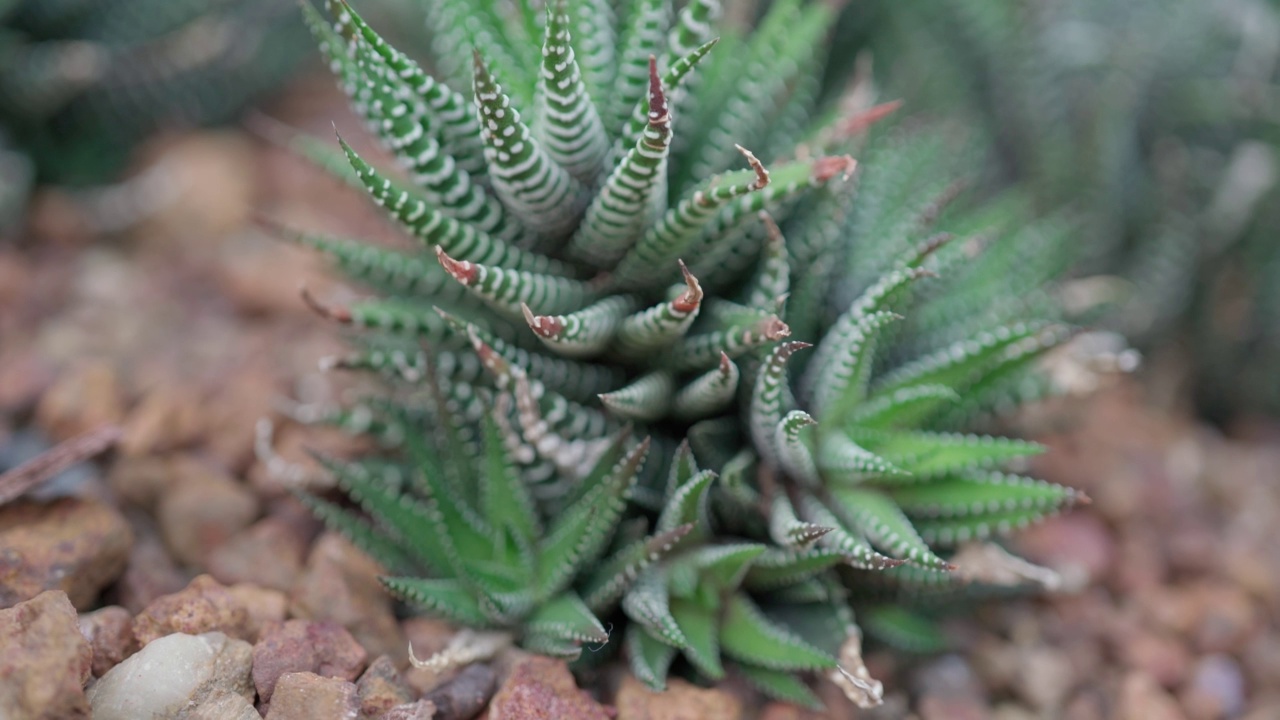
1154	125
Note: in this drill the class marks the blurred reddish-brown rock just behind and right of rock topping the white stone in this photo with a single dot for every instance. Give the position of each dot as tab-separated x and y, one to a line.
268	554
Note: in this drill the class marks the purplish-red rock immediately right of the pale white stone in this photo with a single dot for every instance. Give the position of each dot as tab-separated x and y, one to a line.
305	646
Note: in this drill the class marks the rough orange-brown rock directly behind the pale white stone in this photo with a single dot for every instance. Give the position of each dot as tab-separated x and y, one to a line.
203	607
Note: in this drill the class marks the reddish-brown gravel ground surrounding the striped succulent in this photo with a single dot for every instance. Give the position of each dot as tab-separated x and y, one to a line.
181	549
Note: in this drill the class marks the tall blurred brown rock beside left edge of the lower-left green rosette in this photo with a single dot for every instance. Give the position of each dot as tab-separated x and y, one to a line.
341	584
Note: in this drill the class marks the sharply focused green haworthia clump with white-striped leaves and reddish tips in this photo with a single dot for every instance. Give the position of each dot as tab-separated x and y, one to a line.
627	394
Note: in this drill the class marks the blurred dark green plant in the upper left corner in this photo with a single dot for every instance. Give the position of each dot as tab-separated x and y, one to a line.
81	81
